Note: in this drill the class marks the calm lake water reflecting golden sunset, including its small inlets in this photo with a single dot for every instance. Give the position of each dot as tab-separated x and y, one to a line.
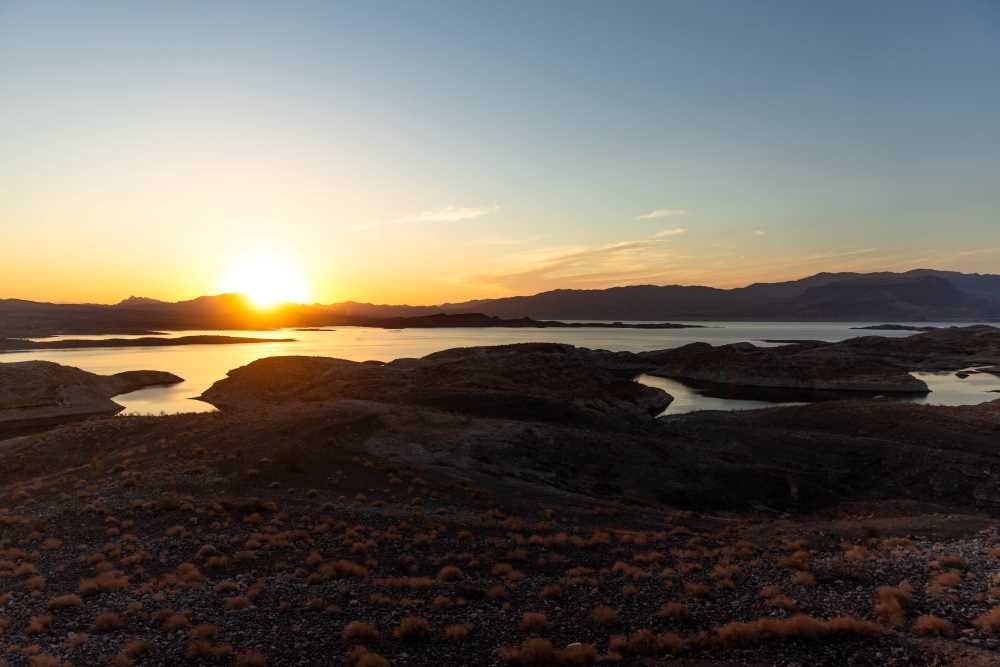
201	365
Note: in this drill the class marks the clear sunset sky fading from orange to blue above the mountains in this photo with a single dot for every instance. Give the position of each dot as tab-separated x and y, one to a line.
422	152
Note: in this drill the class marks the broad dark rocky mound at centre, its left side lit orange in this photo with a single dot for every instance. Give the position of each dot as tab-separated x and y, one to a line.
531	381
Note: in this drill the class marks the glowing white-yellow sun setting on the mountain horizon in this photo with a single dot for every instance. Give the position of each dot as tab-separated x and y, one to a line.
266	279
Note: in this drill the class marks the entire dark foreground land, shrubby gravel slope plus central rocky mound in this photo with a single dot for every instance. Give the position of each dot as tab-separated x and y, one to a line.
531	512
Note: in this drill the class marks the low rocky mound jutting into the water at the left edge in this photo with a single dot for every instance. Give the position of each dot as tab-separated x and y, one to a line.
33	392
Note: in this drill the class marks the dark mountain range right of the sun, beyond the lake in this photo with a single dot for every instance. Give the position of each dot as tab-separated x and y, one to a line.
919	295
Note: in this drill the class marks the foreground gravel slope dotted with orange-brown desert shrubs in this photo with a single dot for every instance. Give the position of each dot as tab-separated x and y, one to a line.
223	556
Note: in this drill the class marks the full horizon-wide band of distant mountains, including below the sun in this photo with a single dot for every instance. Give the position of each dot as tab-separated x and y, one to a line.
921	295
